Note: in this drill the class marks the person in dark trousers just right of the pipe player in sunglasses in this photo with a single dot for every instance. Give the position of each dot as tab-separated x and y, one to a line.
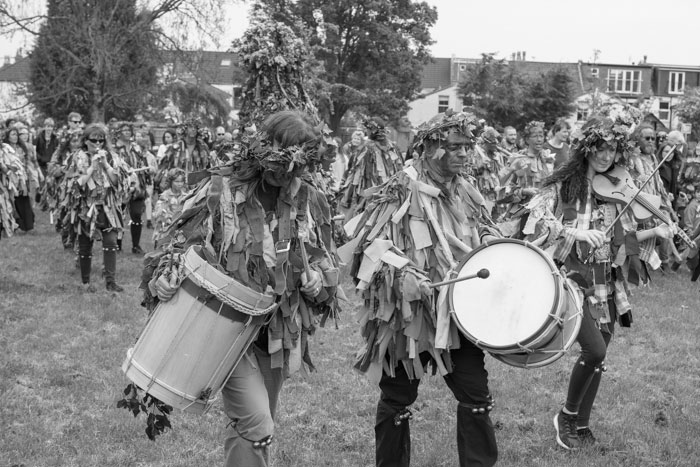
142	168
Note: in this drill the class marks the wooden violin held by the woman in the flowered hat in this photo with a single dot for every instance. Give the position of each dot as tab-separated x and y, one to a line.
617	186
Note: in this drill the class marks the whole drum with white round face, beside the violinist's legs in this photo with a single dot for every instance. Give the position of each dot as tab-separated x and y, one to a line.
524	313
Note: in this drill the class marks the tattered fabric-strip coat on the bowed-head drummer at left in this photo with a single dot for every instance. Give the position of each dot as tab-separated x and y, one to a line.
260	249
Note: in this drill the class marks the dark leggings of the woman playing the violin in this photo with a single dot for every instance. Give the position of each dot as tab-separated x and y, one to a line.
586	375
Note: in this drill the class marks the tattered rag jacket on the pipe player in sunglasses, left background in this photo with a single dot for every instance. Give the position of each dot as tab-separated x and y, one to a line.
96	204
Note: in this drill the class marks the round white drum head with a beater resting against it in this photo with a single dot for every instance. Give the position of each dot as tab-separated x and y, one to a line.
511	305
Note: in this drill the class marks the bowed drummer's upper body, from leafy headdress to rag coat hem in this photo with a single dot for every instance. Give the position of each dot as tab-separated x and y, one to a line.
252	215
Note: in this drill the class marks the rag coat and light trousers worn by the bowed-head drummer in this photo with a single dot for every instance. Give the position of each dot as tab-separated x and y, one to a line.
252	231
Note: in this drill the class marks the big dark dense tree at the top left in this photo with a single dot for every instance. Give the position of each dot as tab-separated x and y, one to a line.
92	57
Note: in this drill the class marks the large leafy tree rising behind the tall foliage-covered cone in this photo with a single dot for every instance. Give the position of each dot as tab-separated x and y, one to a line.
372	51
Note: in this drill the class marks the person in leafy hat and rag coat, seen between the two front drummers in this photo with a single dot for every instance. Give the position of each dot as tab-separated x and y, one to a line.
373	165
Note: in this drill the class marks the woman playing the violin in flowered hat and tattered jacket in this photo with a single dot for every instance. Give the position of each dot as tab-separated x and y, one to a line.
595	244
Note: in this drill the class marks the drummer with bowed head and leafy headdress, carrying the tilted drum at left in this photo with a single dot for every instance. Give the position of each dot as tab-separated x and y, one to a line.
259	222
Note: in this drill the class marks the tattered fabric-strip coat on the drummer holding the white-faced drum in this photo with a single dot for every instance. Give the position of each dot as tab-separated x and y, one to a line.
412	230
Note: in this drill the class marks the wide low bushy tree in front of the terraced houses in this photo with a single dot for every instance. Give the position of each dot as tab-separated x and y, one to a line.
498	92
